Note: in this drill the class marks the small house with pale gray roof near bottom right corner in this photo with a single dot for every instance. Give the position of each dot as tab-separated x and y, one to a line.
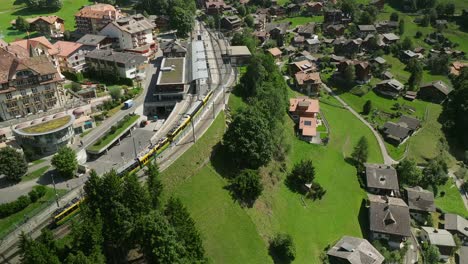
440	238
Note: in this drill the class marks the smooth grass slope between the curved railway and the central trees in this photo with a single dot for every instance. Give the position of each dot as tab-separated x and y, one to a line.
229	235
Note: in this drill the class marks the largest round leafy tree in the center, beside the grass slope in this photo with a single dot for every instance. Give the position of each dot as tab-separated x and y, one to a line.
248	139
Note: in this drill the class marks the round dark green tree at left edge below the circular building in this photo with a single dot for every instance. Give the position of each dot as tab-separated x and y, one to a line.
12	164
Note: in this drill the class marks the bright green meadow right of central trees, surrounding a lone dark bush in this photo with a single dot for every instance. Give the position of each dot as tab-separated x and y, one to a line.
321	222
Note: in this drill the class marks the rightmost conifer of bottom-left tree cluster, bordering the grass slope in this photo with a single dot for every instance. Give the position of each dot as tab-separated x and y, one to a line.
179	218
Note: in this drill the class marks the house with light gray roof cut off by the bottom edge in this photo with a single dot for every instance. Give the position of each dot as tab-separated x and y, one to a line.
353	250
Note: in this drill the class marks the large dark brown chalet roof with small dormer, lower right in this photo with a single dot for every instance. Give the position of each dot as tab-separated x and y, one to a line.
389	215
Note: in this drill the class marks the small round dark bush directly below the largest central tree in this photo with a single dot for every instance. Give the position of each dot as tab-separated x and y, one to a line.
247	186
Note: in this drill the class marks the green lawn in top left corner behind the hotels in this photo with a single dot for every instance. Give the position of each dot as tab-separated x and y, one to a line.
10	11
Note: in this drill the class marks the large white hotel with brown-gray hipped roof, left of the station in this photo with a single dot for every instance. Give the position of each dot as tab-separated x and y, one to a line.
133	33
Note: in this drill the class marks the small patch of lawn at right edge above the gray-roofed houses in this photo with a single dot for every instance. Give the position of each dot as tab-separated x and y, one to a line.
451	202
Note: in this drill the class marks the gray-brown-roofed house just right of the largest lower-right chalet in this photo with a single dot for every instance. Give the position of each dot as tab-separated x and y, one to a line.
420	202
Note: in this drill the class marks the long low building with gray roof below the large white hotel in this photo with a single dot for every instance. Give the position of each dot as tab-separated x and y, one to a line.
126	64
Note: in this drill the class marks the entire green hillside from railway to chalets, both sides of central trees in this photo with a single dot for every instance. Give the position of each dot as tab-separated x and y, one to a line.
236	235
